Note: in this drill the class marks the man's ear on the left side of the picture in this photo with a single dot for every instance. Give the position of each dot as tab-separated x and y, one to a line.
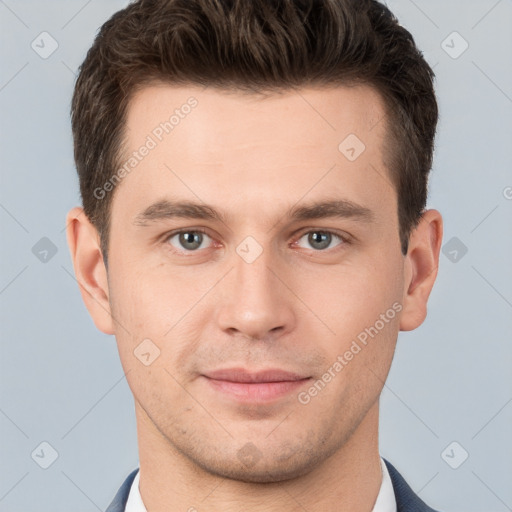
91	274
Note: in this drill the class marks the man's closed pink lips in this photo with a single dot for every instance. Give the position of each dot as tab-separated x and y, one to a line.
261	386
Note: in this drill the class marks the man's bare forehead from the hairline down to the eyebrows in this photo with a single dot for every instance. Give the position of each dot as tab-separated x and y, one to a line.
246	150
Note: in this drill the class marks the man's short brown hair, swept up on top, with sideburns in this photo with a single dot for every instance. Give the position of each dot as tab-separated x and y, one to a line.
254	46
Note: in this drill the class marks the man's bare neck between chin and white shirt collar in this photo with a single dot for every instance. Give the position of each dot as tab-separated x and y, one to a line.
349	480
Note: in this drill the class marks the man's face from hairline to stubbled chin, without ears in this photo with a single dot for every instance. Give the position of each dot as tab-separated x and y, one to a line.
259	280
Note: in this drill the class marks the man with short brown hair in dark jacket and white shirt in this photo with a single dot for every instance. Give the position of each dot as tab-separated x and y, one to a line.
254	179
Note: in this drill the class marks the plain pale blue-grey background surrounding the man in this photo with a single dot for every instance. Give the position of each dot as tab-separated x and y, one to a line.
451	380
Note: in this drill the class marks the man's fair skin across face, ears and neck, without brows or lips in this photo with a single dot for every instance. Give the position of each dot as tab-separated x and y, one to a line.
296	307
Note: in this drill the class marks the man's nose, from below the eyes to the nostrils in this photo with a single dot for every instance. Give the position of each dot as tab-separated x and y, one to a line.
255	302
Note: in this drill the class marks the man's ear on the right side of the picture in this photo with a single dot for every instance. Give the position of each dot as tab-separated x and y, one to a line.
420	268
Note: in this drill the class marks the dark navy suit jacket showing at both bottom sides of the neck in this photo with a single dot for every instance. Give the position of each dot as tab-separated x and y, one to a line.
406	500
